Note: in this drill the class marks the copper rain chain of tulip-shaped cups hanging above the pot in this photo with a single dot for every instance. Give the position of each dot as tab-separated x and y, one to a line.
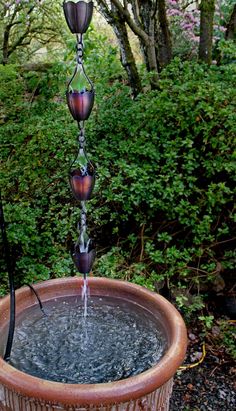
80	100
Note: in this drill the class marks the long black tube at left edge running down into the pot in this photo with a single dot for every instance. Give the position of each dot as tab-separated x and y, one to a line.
10	270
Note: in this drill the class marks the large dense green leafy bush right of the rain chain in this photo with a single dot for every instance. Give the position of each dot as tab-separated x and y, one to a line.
166	174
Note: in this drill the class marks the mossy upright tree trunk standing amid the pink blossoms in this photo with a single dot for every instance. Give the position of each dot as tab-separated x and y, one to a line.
207	8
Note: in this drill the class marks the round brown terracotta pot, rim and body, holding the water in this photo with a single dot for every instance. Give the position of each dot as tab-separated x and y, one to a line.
148	391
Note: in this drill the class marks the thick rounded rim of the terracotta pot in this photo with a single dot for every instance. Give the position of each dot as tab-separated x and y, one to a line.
102	393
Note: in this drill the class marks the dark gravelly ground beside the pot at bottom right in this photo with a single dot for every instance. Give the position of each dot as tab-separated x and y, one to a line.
210	386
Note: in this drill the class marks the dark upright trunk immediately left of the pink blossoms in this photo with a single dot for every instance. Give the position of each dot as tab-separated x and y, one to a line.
164	41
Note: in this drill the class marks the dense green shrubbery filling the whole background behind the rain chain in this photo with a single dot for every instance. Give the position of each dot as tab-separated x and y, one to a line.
163	203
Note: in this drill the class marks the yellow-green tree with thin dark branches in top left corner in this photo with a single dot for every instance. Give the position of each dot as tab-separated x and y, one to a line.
24	22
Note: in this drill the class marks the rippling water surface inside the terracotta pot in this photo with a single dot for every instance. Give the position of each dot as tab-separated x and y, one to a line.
117	339
